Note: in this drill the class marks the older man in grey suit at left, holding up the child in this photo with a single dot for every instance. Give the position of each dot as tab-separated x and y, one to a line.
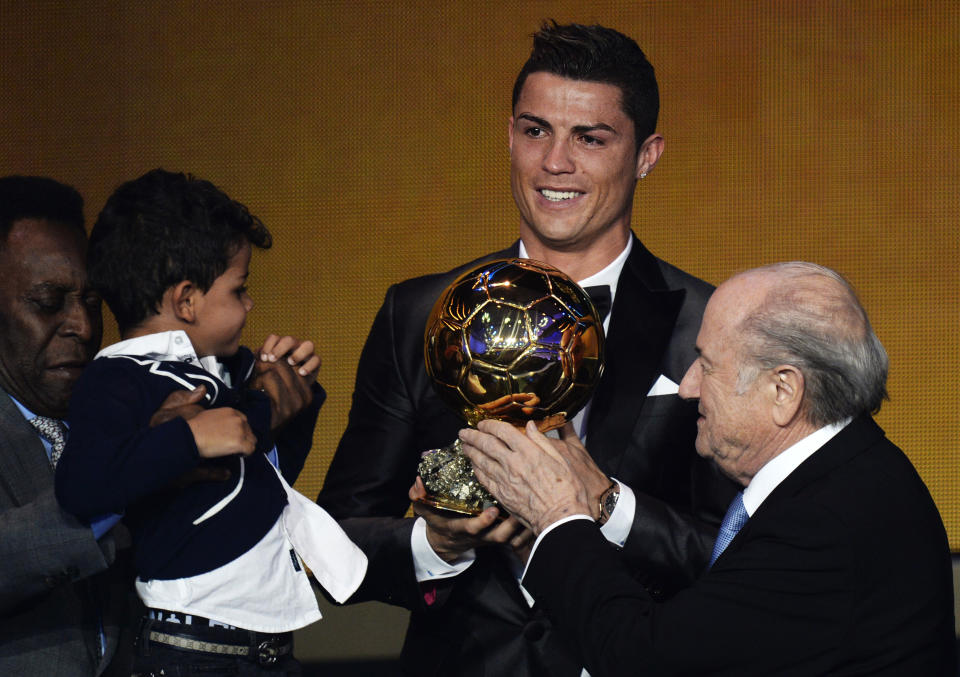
60	608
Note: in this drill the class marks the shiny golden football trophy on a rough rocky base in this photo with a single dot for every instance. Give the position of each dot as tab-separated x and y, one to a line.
514	340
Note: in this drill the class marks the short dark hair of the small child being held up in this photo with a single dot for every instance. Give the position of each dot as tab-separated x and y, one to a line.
159	230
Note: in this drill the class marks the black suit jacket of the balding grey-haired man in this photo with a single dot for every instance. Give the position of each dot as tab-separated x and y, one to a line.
843	570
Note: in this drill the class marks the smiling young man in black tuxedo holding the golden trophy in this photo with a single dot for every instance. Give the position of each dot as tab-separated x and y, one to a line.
581	134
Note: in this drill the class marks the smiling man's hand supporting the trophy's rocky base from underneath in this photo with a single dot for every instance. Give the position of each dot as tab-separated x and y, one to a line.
450	536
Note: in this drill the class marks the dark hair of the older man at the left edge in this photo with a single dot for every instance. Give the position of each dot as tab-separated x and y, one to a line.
37	197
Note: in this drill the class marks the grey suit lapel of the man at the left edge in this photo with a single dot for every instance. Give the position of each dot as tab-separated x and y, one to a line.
25	468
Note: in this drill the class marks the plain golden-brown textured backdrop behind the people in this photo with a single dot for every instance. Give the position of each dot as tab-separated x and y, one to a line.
371	138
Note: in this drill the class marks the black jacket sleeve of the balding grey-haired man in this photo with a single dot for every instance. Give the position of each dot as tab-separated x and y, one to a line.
779	605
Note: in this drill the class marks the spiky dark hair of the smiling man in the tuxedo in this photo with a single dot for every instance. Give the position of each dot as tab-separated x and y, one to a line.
597	54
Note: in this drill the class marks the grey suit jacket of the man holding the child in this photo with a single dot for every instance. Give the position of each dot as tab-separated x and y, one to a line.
55	586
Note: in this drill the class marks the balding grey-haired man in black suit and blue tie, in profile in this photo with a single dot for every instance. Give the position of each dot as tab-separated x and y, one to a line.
832	560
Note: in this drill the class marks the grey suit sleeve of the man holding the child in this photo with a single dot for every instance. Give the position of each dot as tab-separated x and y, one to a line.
42	547
